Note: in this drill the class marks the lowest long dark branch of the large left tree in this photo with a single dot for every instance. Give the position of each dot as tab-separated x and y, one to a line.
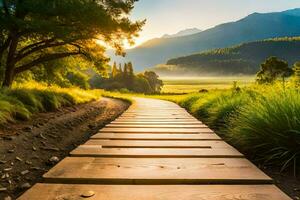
43	59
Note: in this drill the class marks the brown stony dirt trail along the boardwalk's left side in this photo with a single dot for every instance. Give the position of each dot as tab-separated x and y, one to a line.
29	149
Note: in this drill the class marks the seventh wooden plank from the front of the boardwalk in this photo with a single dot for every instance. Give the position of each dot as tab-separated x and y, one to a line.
155	126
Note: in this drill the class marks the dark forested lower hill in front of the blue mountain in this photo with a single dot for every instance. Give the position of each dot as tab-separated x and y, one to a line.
243	59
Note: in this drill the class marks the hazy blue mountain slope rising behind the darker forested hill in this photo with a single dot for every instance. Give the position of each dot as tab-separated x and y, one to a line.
254	27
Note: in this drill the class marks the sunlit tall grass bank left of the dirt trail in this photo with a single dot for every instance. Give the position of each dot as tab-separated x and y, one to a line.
20	102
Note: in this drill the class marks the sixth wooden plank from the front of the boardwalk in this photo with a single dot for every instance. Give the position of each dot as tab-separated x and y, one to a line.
155	130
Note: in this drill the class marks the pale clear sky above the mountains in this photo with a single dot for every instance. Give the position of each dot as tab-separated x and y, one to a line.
171	16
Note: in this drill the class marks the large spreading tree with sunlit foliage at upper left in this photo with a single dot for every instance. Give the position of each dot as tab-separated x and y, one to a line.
33	32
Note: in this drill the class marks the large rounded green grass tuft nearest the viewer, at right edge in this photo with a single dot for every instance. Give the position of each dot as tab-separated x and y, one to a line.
269	127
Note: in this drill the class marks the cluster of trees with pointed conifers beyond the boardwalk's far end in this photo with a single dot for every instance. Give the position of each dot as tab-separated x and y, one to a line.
125	80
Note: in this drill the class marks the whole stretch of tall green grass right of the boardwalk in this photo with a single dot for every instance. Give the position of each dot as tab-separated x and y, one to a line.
263	121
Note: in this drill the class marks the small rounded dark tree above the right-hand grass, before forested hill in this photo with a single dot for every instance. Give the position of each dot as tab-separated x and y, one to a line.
272	69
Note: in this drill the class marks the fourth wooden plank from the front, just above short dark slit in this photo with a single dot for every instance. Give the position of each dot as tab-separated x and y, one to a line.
157	144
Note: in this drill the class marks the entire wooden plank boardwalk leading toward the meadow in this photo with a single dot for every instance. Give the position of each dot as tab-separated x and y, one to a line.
155	151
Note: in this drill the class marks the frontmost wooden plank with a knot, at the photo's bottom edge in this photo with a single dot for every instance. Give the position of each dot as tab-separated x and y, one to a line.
155	192
